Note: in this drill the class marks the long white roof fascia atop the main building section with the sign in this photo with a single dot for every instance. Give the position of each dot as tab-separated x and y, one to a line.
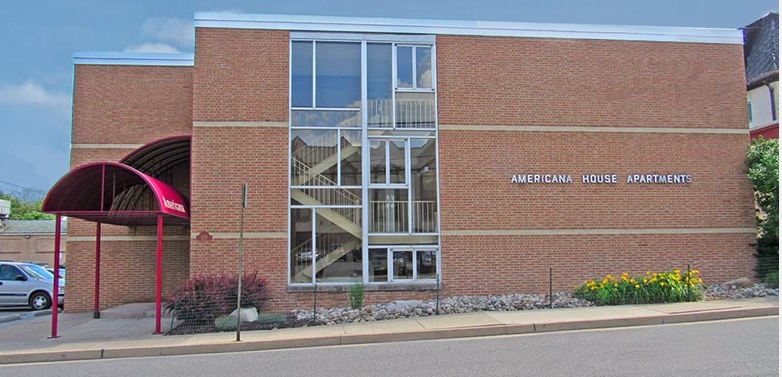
472	28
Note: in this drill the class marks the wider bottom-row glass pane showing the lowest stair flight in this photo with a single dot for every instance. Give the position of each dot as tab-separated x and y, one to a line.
337	247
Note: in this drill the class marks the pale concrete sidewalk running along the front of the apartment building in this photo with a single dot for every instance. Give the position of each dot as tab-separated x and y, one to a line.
126	331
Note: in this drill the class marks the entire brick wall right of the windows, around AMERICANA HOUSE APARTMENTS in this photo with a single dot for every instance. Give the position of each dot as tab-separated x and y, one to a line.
485	82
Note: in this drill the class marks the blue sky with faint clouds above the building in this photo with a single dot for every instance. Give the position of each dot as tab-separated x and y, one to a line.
38	40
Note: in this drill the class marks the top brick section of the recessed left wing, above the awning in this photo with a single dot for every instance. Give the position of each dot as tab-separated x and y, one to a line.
131	104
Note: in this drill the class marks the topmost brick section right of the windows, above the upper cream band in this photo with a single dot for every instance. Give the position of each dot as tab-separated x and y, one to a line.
568	82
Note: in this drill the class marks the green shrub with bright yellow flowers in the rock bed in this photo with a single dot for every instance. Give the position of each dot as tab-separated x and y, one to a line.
669	286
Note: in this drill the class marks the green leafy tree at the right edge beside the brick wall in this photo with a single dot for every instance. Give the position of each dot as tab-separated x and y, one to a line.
763	159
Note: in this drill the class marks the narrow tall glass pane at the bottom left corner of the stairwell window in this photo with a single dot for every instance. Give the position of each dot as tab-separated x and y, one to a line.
301	245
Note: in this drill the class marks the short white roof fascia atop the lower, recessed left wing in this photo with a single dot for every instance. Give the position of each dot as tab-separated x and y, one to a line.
134	58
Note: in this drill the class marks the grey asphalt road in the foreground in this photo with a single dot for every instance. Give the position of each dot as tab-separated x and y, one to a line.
747	347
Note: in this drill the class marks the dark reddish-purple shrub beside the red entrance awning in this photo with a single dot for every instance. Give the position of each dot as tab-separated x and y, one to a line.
202	299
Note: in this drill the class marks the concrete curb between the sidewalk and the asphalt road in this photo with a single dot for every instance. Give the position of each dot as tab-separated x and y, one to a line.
426	334
